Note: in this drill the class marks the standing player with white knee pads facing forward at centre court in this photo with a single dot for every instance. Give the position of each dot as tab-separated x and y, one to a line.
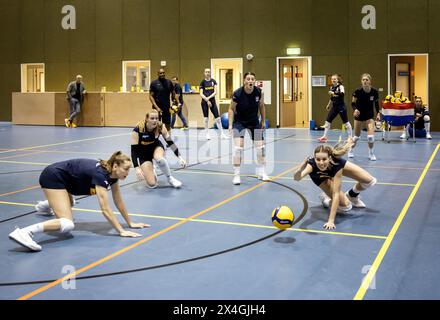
246	102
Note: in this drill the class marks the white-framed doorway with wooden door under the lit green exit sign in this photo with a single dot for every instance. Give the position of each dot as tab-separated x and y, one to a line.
293	91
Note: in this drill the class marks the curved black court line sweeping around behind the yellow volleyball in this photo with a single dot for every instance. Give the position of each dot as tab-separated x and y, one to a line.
109	274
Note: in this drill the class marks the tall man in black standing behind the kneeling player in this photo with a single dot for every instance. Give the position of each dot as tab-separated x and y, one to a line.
161	94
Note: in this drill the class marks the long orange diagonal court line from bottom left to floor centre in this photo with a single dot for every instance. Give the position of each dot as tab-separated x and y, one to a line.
92	265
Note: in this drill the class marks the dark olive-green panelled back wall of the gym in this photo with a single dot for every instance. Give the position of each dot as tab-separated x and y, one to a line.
188	33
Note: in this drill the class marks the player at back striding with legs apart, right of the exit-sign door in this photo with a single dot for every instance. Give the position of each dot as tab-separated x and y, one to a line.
336	106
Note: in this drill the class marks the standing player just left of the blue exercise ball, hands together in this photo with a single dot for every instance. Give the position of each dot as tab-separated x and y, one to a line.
208	91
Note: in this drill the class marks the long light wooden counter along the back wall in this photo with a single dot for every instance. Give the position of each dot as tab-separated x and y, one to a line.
99	109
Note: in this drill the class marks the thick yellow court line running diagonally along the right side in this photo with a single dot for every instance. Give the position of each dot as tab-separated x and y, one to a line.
383	250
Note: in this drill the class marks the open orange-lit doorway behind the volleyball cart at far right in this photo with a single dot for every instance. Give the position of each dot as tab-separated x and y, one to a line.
409	73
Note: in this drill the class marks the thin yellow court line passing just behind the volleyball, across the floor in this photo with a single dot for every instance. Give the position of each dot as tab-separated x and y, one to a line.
360	235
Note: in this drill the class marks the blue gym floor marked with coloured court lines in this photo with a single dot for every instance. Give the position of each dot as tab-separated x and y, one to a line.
214	240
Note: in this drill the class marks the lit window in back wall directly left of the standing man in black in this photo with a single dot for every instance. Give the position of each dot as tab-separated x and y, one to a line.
136	76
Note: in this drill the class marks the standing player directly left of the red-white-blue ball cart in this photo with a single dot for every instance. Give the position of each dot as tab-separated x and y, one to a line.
364	101
